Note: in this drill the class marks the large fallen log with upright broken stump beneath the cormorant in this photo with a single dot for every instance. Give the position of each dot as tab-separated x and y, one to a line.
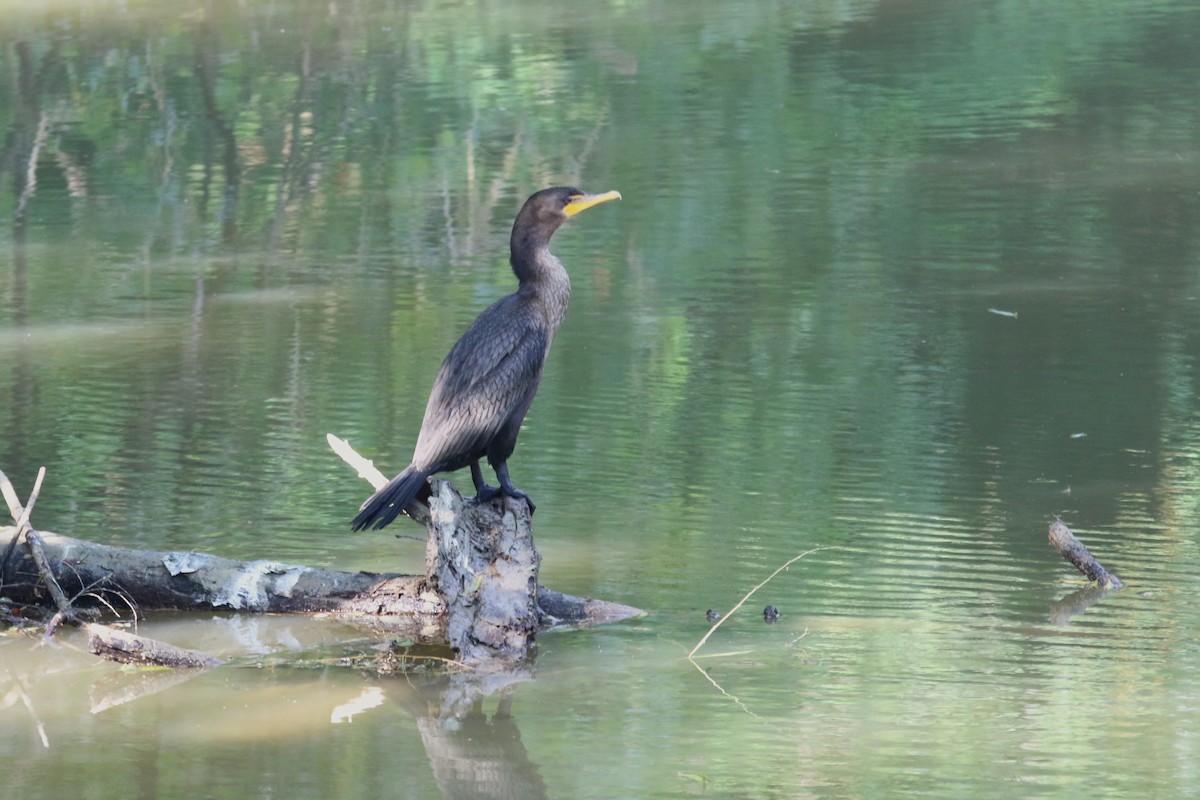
461	532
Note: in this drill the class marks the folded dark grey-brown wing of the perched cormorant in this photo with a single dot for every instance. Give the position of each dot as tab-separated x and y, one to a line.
489	375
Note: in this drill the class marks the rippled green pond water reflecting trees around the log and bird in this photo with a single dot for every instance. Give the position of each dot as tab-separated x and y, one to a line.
251	224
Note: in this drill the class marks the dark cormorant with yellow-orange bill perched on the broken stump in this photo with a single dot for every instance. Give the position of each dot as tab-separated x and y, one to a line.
489	380
